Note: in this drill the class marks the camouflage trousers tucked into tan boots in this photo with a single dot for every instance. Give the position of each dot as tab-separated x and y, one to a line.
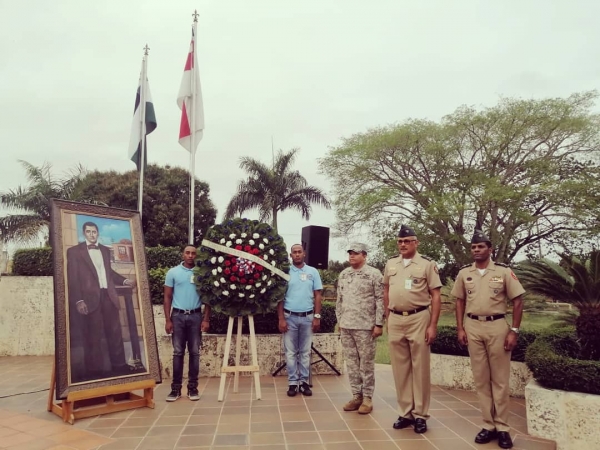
358	347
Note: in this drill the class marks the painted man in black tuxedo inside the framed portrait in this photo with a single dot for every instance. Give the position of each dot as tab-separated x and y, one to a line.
94	305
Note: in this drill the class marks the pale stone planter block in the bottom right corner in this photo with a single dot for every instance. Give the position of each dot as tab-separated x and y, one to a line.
572	419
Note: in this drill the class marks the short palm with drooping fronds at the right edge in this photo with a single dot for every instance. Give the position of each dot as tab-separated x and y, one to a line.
572	281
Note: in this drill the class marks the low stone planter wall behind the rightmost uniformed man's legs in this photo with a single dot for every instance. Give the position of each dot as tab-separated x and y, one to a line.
455	372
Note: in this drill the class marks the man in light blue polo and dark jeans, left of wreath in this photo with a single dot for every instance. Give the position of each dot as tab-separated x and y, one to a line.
184	322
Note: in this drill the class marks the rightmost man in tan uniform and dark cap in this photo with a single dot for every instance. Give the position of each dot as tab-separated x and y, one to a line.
482	290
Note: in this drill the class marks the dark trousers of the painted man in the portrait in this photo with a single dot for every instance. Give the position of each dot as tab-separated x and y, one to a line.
103	322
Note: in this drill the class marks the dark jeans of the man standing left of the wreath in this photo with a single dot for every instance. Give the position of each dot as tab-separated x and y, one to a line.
186	331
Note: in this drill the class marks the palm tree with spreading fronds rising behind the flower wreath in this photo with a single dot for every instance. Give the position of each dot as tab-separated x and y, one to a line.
274	189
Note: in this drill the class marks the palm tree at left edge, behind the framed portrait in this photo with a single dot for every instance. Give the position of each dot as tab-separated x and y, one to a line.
29	205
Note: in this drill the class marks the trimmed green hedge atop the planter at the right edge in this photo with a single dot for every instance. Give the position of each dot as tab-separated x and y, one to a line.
552	359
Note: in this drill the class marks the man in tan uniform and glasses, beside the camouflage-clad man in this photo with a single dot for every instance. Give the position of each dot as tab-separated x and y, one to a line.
411	285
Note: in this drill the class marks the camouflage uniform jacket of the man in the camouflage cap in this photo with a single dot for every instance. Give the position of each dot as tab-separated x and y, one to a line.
359	298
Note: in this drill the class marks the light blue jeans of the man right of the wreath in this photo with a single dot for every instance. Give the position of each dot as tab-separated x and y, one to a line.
296	342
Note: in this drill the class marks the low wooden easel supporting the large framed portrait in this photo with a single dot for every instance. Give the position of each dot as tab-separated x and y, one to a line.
103	400
